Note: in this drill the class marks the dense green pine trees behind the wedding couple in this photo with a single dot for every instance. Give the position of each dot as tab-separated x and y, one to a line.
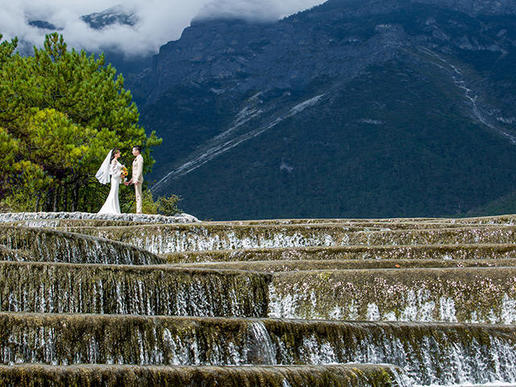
60	113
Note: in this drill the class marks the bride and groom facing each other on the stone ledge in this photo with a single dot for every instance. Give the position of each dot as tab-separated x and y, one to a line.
112	171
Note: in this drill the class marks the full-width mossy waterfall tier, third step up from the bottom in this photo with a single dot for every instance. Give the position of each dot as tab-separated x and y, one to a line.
451	294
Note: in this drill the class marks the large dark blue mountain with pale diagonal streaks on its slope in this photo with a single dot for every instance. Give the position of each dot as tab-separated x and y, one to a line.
374	108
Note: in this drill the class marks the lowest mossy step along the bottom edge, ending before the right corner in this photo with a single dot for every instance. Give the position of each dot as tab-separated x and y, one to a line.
355	375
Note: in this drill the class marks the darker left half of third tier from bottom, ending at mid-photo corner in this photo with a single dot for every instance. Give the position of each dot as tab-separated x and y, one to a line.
117	289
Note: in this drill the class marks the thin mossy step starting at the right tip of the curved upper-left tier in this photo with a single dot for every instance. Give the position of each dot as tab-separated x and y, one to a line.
421	252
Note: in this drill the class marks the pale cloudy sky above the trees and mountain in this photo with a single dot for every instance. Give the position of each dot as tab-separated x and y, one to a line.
159	21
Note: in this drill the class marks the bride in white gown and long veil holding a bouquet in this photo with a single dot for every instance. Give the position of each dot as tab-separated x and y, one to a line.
111	167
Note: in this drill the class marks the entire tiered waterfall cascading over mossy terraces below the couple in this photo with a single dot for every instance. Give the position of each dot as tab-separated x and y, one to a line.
141	325
